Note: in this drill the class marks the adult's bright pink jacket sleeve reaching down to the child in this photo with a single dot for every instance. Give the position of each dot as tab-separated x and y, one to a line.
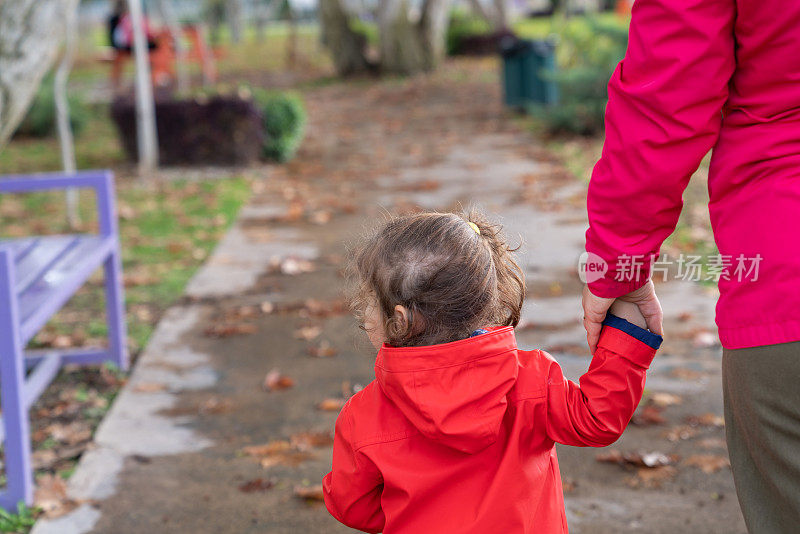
663	115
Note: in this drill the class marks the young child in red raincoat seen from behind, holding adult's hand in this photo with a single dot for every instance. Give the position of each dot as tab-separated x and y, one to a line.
457	432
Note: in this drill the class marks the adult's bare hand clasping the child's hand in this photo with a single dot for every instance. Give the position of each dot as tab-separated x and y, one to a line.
595	308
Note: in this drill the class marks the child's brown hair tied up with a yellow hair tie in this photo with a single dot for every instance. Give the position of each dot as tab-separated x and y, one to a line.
451	278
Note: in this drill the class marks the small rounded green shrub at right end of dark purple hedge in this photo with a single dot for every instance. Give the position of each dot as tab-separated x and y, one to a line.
284	124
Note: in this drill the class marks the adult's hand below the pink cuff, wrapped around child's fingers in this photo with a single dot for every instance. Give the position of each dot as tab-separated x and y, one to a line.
644	300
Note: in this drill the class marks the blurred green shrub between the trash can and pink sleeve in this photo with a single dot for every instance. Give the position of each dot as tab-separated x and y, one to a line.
588	55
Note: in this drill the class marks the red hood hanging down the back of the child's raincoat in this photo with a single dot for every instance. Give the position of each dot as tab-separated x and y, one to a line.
453	393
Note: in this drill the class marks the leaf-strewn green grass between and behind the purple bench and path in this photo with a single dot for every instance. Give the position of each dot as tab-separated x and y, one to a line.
167	230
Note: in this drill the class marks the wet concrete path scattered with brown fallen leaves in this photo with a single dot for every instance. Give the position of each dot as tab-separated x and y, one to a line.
171	455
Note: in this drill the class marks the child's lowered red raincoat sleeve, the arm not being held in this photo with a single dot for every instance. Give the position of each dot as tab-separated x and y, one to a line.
352	490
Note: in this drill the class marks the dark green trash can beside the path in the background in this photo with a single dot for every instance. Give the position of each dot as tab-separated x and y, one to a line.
526	64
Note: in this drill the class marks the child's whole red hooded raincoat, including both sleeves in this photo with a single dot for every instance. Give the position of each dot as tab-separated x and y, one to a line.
460	437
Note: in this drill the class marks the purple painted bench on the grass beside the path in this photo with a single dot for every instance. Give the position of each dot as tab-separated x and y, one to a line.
37	277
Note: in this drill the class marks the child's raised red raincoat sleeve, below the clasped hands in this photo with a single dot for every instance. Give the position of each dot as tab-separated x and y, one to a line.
596	412
